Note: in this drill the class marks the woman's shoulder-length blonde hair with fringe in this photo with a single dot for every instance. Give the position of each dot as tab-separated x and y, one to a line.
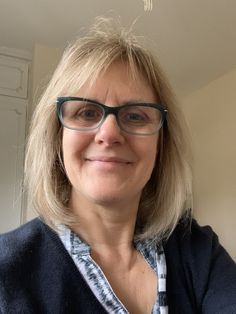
164	197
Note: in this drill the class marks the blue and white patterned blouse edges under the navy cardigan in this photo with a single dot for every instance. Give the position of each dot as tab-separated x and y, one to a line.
96	279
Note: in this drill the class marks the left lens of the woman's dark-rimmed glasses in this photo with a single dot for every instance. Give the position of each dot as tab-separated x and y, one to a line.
81	115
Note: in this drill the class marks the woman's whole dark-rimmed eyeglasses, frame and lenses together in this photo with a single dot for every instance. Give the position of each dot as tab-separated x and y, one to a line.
83	114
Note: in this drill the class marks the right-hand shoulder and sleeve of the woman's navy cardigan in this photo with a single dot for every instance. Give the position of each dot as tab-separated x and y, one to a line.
200	269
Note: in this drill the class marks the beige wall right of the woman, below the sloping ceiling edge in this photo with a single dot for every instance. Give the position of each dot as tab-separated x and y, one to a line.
211	115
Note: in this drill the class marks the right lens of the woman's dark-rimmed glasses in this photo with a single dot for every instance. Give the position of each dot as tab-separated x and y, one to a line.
138	119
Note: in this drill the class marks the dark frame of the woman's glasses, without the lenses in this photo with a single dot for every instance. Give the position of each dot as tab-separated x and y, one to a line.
109	110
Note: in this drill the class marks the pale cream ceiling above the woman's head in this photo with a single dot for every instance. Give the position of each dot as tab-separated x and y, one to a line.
195	40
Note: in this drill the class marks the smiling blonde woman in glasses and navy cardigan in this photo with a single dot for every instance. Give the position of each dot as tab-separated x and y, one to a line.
107	170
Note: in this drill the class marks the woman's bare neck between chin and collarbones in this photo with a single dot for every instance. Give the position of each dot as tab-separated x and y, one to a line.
107	227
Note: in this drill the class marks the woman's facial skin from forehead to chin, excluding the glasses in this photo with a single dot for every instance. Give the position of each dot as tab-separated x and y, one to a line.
107	165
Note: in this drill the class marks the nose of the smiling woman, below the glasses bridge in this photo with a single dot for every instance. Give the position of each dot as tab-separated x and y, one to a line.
109	133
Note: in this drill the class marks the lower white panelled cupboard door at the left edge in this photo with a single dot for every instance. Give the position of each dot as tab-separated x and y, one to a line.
12	142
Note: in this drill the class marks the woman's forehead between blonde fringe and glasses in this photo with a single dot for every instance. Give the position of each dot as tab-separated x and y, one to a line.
118	81
